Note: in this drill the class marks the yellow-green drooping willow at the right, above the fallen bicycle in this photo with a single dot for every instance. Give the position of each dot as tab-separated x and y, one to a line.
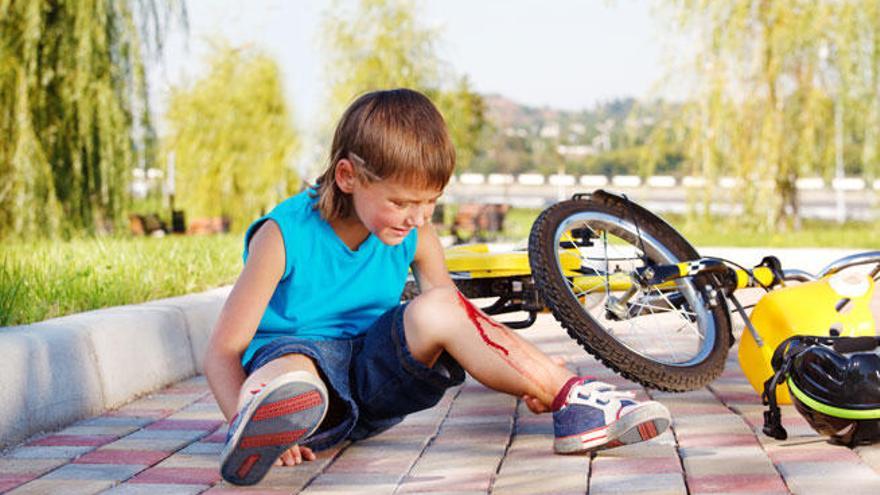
770	75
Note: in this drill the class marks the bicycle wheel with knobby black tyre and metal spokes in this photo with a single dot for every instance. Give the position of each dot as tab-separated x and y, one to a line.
668	338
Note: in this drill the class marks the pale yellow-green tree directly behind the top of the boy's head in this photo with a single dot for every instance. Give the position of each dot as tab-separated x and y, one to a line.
382	45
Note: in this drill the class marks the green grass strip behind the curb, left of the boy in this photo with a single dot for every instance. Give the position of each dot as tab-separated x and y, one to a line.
44	279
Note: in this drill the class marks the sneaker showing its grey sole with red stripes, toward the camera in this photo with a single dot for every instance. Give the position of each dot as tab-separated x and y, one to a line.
280	414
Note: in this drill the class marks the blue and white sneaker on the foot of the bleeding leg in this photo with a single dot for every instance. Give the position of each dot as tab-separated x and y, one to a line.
595	416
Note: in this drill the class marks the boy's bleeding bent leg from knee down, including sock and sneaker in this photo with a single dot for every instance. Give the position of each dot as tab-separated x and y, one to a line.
587	414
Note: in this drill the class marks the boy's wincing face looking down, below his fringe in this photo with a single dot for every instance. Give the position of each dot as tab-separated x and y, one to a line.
391	209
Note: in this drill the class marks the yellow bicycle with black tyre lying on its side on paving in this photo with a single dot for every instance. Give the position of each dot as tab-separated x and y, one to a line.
632	291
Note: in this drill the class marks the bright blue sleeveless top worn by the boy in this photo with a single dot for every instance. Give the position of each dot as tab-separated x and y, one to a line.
327	291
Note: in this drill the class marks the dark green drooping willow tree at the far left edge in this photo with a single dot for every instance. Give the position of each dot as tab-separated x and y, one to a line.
74	118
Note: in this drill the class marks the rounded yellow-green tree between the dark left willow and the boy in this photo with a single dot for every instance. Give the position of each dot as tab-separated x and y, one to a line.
232	138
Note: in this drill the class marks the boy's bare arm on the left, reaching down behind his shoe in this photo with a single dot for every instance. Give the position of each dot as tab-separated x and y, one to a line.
241	314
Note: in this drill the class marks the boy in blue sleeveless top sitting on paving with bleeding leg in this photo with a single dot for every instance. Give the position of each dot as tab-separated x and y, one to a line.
312	347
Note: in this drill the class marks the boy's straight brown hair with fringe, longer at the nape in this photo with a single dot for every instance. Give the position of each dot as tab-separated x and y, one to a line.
395	134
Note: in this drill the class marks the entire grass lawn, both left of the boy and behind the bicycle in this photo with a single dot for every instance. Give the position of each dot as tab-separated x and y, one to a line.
40	280
